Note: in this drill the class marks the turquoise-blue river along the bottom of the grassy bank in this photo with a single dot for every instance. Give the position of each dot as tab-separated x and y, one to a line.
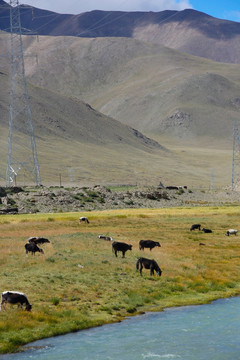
205	332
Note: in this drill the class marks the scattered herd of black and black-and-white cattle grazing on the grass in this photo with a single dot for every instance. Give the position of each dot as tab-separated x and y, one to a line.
32	246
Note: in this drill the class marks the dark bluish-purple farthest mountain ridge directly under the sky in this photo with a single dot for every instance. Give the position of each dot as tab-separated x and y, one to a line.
189	30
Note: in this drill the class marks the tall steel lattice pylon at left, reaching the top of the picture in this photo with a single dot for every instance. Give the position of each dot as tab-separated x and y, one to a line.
22	151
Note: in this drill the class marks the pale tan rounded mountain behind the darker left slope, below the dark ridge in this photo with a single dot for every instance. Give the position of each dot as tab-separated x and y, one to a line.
147	86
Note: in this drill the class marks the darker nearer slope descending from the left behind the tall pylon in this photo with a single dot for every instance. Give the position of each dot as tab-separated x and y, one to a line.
73	137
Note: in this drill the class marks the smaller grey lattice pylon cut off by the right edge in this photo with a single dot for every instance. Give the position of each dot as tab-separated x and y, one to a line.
236	158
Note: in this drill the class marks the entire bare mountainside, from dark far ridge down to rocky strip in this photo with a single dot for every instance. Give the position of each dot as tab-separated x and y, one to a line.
89	94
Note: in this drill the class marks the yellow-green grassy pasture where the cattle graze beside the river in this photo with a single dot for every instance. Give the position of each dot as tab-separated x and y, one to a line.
78	283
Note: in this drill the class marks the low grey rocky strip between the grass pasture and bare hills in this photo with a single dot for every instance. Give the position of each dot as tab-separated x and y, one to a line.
60	199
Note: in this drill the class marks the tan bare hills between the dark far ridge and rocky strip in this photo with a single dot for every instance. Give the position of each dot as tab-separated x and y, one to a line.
159	89
